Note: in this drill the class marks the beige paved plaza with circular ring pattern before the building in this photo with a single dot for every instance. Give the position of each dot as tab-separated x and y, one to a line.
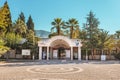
60	70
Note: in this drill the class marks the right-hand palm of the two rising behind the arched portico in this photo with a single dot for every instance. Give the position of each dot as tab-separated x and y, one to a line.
73	25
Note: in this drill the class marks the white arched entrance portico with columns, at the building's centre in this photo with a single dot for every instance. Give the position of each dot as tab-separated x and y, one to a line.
59	47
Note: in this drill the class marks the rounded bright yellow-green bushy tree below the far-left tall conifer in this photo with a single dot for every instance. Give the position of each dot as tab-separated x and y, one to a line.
12	40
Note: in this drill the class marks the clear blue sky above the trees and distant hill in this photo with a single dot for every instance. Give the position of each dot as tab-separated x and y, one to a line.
44	11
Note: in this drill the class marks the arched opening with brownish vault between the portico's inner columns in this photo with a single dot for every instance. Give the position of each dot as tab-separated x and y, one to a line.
60	49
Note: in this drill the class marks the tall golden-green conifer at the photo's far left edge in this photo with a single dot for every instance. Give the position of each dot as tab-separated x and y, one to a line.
5	17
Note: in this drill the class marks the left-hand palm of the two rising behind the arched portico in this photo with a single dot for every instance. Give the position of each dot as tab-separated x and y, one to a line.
58	24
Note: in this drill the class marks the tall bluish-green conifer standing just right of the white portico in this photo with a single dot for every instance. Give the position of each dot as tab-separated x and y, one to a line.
91	27
